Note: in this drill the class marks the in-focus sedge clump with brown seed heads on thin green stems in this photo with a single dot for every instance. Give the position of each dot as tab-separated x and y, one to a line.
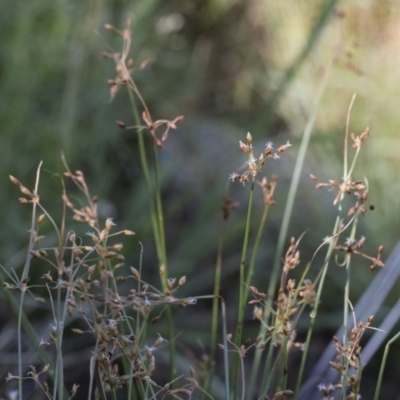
86	279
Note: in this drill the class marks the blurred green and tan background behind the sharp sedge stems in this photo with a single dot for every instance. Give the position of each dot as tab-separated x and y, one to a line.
230	67
